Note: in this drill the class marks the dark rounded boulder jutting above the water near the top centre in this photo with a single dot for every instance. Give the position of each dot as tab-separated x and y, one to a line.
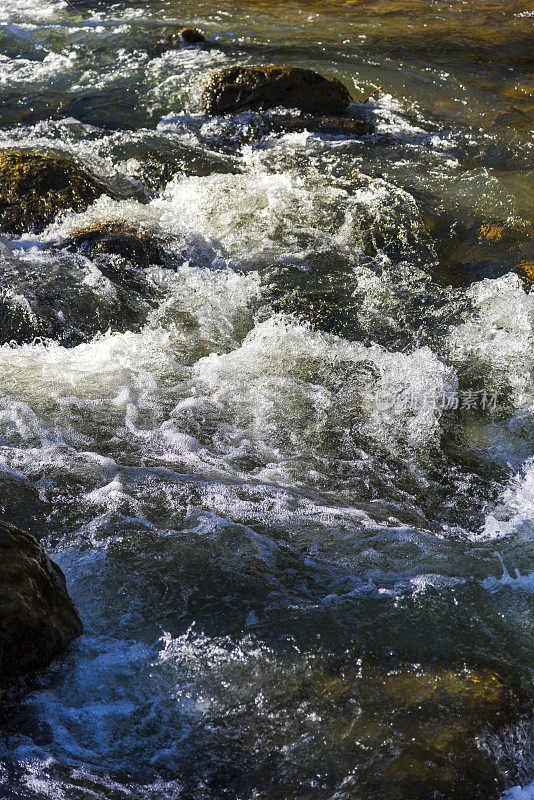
236	89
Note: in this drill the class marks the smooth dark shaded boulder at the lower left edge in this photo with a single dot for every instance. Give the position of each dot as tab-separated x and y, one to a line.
37	617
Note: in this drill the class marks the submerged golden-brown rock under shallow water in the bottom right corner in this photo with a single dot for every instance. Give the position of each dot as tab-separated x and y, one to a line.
434	731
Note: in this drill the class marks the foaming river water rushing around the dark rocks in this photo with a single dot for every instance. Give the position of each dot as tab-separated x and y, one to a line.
281	533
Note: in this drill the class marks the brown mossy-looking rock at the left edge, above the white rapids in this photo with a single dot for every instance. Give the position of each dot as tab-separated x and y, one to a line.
34	186
